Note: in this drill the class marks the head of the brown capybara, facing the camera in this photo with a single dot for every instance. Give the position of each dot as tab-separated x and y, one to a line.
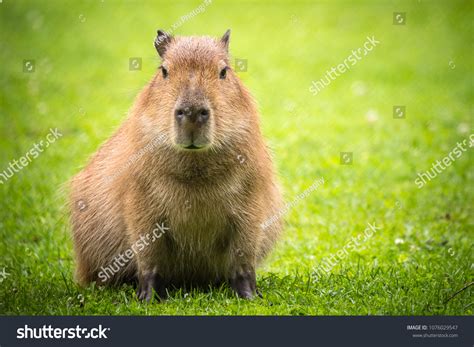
195	100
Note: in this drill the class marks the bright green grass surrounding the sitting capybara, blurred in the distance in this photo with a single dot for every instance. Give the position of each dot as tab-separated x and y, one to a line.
83	87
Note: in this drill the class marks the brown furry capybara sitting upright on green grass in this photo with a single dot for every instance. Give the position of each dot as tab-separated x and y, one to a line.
181	193
